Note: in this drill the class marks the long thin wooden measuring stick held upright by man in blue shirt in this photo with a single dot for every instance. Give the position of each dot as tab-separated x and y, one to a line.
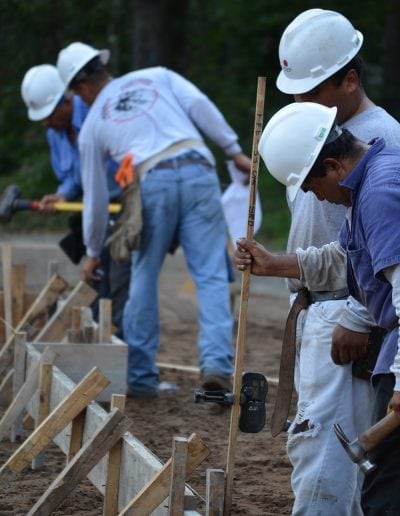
244	297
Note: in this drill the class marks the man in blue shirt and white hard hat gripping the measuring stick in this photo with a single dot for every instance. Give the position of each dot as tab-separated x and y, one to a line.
336	167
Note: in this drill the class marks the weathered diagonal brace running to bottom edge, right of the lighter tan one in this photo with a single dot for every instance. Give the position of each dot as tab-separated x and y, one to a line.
102	440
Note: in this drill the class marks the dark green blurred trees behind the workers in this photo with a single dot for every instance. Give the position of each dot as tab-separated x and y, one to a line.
220	45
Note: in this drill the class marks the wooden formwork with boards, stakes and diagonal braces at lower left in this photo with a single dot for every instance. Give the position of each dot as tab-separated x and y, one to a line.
129	476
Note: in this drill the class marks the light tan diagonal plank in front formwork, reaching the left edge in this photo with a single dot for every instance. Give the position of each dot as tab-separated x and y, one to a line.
69	408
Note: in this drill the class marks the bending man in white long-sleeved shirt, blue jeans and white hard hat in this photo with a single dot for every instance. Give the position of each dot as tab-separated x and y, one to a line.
156	116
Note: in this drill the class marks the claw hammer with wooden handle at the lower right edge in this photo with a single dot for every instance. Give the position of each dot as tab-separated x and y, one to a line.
357	449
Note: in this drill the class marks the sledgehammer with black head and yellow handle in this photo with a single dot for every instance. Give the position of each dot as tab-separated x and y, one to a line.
10	203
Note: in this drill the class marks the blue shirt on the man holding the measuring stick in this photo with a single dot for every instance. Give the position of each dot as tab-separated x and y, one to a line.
373	240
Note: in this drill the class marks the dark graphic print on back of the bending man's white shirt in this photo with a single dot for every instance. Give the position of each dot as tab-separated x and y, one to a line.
135	98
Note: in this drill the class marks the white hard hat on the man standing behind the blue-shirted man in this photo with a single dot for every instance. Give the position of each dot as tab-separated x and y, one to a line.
313	47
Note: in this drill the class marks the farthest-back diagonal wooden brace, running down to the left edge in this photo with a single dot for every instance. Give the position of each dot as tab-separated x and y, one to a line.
47	297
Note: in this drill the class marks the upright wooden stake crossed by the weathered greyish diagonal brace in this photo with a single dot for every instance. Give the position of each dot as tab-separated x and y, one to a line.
110	506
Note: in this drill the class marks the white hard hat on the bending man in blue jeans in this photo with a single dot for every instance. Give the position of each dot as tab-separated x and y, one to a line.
75	56
